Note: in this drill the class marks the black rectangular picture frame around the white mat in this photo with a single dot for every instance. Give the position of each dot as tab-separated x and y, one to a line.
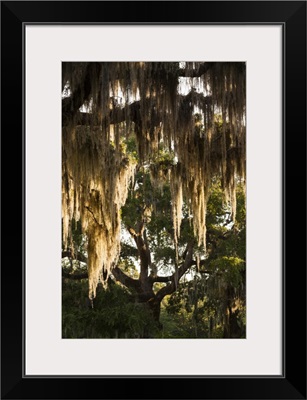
292	16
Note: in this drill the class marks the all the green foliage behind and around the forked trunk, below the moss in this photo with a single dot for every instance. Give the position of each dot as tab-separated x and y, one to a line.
199	308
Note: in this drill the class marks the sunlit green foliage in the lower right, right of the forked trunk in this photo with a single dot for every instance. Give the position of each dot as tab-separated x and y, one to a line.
218	287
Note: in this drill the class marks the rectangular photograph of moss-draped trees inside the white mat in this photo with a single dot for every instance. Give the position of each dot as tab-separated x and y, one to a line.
153	199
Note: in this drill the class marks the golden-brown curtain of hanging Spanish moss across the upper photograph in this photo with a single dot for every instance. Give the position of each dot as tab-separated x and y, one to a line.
96	171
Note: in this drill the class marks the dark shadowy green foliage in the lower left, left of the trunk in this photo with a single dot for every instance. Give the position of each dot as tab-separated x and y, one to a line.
115	313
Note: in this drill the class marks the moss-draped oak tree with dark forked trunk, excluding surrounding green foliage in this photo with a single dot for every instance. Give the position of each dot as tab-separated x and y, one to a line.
176	125
